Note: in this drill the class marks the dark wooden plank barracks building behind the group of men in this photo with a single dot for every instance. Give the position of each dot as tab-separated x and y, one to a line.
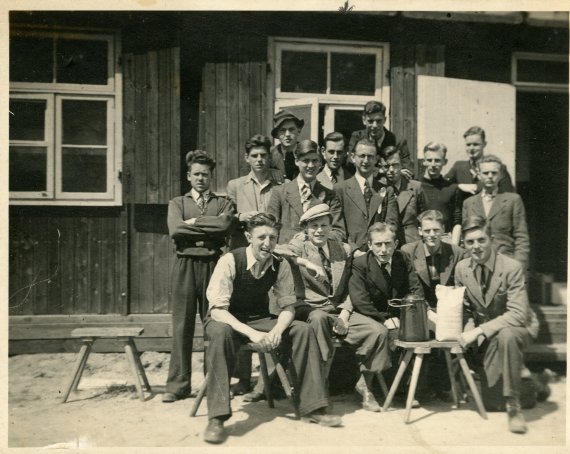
104	106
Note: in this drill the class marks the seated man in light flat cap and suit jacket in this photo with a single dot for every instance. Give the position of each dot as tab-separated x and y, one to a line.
324	302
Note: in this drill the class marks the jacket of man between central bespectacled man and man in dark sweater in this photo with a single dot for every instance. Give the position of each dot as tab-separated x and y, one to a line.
411	202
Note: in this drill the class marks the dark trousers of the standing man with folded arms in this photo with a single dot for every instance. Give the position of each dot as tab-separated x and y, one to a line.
190	279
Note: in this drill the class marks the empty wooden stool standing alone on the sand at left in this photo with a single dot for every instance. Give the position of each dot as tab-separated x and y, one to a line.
89	336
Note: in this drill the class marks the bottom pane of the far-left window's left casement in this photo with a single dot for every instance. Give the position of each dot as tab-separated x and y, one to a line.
28	168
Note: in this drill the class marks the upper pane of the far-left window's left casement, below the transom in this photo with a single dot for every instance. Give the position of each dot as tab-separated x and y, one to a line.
27	119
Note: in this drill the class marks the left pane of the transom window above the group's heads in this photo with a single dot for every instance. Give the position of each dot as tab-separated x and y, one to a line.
304	72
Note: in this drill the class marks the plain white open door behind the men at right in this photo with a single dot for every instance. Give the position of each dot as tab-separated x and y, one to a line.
448	107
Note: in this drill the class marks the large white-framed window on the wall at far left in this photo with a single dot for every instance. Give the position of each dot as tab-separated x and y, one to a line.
65	119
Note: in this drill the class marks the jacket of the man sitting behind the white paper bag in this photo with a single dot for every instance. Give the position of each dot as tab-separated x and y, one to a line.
450	255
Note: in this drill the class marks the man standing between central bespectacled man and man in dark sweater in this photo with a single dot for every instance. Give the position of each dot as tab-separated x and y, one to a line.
409	195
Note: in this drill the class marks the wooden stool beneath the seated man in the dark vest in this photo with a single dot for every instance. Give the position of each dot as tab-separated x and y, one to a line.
285	381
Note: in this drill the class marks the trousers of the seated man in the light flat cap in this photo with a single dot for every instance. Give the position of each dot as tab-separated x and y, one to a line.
369	336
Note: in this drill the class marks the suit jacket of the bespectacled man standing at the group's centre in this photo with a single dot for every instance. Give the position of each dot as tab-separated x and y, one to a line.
356	218
